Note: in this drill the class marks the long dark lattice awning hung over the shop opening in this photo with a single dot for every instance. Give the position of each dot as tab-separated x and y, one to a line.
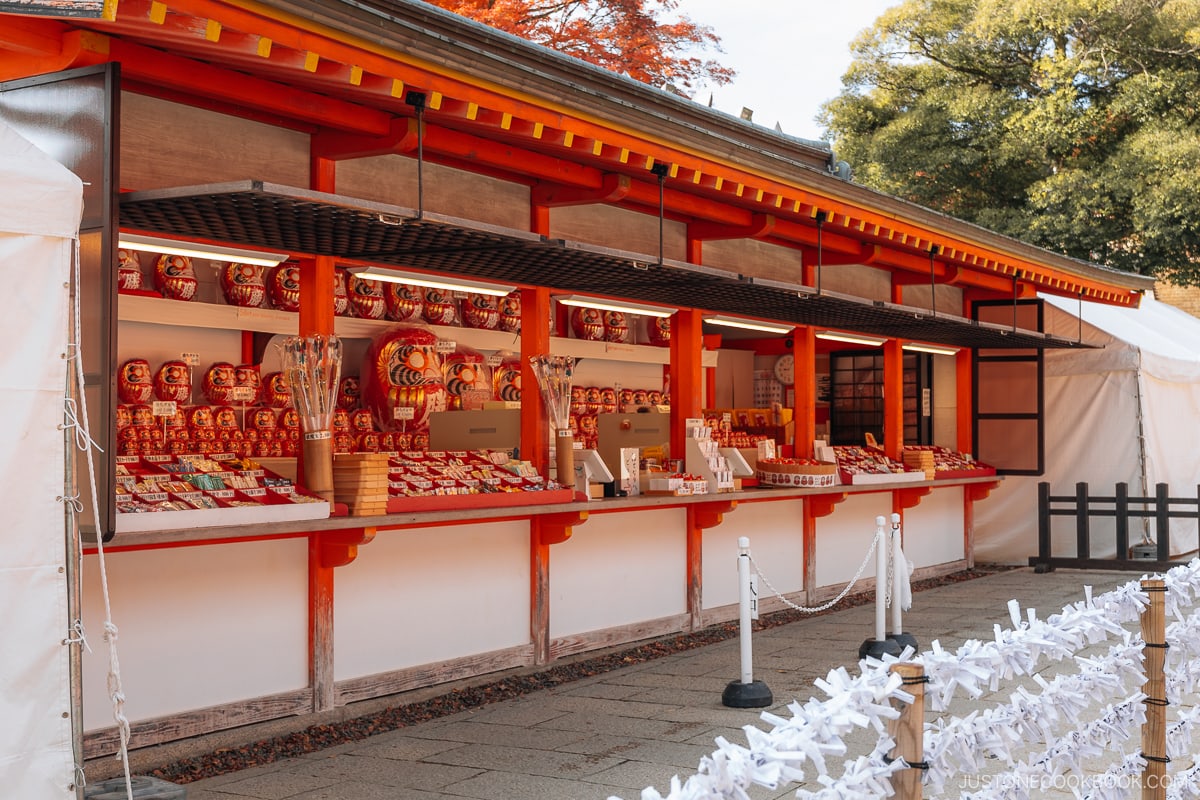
304	222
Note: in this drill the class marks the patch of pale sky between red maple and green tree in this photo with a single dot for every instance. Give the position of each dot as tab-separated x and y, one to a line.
790	55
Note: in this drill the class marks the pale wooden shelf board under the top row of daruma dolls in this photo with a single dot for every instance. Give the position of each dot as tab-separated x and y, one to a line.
161	311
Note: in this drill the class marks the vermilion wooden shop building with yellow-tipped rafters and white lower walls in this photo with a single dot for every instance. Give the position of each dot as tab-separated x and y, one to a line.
392	134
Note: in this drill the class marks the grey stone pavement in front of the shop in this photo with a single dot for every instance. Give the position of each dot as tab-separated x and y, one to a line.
617	733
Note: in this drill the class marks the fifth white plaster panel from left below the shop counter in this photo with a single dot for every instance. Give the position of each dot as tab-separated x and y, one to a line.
845	536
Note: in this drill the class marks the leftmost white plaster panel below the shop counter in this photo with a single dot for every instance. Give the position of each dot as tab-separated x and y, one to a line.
197	627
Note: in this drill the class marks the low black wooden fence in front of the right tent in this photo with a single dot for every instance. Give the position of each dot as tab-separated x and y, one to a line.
1084	507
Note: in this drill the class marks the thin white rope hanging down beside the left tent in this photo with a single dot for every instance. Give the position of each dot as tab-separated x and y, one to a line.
88	446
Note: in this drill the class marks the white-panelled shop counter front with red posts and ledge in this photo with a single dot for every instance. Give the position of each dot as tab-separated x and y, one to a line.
424	599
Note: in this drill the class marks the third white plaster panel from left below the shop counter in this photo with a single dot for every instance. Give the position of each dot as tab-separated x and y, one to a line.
619	569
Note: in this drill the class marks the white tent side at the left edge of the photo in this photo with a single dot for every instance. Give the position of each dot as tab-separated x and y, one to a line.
40	213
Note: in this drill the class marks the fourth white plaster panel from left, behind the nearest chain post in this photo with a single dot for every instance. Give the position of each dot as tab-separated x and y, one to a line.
777	544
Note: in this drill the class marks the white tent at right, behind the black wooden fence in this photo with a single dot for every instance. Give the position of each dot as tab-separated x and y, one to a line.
1125	413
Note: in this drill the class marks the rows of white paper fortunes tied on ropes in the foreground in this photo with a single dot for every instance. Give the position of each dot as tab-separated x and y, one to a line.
814	735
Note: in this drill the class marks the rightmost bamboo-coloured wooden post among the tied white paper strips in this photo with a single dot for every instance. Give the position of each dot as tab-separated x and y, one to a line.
1154	732
